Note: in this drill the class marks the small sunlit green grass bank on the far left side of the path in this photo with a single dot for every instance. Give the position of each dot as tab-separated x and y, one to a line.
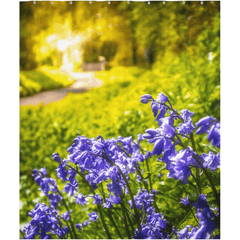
42	79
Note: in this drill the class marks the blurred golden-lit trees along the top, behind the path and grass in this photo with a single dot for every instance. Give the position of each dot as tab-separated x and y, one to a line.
117	31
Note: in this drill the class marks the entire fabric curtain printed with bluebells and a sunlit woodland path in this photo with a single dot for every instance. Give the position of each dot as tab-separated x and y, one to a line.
119	119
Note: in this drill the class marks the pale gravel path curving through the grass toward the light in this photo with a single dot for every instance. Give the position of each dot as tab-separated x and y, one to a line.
83	82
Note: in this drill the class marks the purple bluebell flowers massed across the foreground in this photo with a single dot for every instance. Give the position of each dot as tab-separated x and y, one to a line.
107	167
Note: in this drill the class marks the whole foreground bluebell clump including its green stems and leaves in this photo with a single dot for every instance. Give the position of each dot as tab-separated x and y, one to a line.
121	169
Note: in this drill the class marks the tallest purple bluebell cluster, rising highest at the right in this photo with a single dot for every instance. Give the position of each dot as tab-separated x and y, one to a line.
172	127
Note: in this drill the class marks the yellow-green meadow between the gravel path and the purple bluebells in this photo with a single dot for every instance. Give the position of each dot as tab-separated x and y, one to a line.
110	111
